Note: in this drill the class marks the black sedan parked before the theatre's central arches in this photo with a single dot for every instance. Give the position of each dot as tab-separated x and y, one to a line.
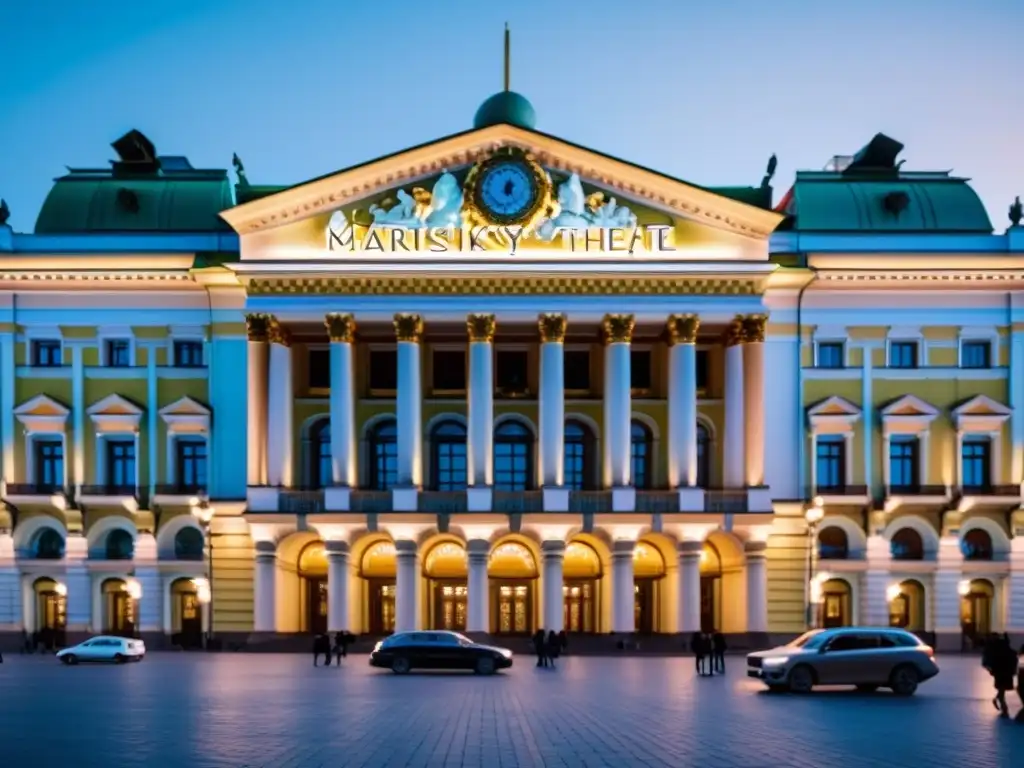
439	651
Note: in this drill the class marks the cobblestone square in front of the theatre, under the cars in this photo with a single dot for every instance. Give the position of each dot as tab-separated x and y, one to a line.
278	711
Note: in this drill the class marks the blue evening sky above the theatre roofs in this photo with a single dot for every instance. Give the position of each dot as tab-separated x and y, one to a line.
705	92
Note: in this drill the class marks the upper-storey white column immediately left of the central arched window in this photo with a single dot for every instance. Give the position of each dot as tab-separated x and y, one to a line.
482	400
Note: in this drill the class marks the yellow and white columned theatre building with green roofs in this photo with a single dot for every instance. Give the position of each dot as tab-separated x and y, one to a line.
500	382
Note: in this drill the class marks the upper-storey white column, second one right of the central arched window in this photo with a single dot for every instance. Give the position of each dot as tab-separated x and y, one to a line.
618	336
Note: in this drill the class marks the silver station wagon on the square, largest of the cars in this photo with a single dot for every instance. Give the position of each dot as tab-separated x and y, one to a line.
868	658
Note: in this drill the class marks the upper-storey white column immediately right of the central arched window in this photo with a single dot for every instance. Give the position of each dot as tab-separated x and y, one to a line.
551	403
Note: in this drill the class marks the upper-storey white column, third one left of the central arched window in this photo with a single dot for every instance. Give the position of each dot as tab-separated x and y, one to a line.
342	331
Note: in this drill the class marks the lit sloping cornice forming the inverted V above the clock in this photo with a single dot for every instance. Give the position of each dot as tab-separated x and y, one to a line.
324	196
